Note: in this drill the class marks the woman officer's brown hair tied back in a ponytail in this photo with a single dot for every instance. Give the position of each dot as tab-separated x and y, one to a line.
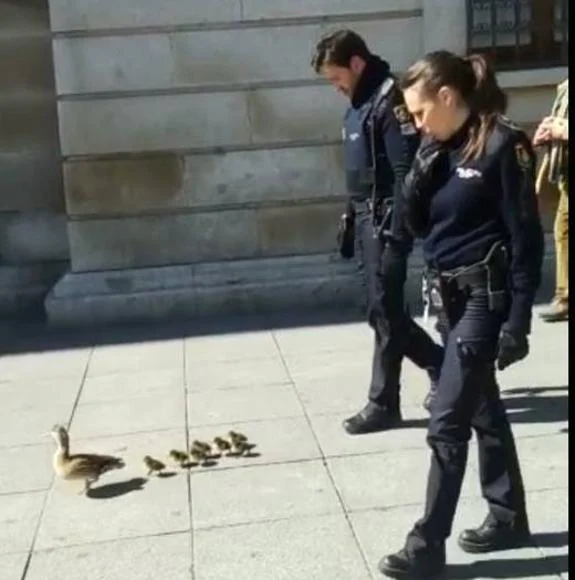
474	79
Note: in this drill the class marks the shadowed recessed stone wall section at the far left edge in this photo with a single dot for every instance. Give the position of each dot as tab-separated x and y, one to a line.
33	239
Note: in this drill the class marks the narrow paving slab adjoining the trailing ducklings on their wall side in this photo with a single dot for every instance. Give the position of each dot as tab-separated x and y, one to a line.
242	405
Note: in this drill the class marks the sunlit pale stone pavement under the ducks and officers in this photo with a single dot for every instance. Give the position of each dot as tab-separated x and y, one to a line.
314	504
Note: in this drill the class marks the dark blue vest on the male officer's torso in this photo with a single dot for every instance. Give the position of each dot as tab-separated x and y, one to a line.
365	158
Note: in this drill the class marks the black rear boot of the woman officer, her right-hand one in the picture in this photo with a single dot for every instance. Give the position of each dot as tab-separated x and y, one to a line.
493	536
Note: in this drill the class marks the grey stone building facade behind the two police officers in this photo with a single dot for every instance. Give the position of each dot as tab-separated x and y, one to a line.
180	158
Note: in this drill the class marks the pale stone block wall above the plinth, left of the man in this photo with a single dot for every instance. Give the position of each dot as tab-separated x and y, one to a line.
197	131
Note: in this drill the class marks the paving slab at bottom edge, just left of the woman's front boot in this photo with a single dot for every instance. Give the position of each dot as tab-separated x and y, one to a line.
294	549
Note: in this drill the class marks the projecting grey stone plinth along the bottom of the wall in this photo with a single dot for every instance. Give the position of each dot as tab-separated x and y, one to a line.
200	290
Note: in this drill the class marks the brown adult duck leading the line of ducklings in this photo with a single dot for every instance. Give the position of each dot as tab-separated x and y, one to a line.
84	466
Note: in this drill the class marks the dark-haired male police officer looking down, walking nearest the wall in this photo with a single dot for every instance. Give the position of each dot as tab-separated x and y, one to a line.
380	141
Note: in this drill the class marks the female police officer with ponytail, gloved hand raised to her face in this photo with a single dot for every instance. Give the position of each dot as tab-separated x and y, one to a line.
471	196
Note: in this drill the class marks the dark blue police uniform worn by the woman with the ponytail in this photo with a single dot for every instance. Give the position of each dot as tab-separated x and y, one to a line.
483	244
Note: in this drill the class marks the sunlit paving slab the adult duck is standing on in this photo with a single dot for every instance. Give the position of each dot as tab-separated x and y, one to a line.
124	503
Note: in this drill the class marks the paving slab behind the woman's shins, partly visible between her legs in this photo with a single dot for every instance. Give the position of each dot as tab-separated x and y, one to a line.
389	479
